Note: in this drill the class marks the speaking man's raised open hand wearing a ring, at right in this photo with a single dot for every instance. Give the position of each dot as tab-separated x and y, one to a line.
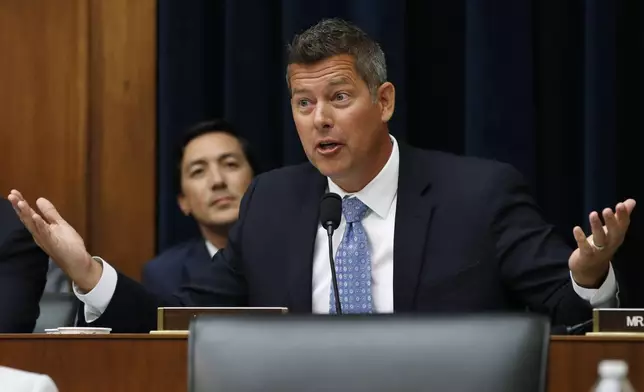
590	262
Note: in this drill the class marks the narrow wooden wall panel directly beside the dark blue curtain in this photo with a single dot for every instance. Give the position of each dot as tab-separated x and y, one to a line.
122	132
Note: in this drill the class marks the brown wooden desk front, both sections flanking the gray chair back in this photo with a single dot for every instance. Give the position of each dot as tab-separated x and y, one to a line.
131	362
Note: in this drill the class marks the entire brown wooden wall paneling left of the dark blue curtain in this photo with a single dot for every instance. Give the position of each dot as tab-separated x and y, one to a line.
77	117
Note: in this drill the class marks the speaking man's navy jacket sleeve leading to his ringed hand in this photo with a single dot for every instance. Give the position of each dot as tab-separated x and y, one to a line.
533	257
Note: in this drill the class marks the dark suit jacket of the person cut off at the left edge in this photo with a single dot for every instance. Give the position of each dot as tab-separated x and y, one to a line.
23	273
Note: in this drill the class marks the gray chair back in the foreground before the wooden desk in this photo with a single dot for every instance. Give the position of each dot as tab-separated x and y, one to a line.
368	353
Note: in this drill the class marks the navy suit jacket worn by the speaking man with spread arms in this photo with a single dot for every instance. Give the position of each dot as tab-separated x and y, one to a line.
468	238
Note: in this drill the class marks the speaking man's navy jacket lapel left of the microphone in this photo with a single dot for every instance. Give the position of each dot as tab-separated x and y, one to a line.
301	242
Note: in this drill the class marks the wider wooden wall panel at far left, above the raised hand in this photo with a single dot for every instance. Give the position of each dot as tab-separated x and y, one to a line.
43	102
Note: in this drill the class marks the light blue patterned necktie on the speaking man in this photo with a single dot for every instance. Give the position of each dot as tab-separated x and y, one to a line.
353	262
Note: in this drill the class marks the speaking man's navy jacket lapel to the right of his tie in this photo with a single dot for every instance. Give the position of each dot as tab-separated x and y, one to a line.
413	214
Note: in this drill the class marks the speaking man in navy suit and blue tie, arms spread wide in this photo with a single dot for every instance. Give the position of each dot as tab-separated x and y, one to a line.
420	232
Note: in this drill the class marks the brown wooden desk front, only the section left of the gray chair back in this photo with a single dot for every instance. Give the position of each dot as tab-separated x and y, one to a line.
108	363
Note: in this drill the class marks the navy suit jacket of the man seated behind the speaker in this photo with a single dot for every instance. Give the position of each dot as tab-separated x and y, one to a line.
163	275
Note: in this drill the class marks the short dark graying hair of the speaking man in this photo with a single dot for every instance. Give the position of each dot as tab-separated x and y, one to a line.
332	37
